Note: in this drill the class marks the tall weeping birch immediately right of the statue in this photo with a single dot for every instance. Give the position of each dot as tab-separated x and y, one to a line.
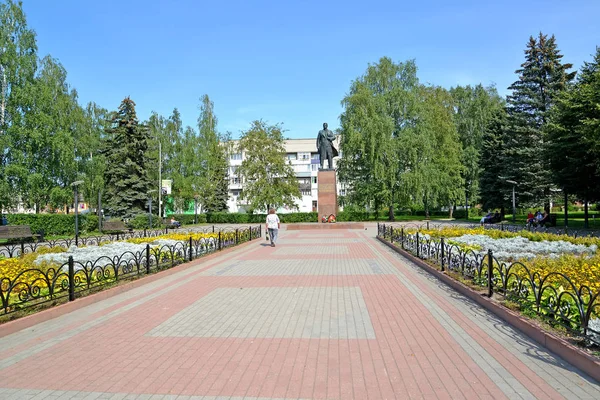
379	109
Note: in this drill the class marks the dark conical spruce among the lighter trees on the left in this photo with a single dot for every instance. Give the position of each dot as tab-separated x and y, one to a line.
127	183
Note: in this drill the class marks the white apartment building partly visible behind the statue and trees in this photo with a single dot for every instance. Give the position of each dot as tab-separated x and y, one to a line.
303	157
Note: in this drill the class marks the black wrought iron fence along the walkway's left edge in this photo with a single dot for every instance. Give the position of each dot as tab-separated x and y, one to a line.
36	286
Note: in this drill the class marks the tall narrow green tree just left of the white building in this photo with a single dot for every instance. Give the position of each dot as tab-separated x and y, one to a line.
213	185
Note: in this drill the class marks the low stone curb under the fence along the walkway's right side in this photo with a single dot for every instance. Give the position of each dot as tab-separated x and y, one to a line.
580	359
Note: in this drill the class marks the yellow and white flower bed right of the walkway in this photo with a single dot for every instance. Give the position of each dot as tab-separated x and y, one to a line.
556	277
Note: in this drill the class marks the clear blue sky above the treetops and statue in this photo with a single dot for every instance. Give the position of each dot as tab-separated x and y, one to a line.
290	61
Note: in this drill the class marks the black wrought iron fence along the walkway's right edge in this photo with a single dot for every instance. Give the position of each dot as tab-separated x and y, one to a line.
553	296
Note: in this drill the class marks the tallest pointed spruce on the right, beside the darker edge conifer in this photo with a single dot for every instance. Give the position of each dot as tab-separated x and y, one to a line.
541	78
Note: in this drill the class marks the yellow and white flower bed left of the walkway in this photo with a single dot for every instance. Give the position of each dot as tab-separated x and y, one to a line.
49	274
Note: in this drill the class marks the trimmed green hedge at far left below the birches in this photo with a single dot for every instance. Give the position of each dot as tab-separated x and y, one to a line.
55	224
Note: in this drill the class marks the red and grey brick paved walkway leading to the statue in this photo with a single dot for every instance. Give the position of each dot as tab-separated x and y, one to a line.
324	315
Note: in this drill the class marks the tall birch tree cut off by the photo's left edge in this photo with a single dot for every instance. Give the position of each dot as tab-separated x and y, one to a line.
18	63
